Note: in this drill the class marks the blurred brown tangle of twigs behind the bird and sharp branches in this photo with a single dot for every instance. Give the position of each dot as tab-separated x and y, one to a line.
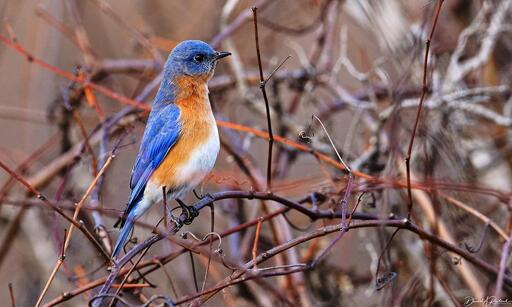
356	64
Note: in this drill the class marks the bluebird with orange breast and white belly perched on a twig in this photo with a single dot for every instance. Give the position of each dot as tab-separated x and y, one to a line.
180	143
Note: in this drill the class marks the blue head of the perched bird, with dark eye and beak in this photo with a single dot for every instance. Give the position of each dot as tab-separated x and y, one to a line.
194	58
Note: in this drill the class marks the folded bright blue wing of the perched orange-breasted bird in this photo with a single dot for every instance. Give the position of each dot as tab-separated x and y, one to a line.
162	132
